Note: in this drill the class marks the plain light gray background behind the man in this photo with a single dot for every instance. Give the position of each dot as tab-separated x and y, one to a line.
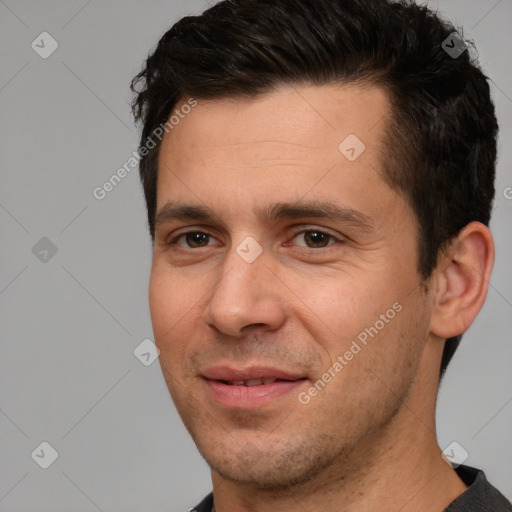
68	375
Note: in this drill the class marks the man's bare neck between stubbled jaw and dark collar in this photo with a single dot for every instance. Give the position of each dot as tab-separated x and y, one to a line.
399	467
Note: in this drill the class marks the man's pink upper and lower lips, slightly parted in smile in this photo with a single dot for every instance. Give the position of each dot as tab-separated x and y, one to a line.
249	397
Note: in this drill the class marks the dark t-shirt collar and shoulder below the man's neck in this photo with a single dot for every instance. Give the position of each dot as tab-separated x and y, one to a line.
480	496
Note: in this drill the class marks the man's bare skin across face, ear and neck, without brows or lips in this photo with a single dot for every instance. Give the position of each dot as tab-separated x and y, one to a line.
366	441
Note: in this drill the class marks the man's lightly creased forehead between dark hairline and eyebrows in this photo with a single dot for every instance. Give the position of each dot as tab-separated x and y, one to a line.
313	142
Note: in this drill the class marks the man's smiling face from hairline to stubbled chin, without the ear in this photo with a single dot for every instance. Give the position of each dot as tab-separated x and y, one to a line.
249	297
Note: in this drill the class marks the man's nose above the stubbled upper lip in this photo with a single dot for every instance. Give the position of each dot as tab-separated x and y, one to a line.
246	294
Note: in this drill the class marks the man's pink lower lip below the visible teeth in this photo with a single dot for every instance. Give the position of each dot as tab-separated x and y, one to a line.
250	397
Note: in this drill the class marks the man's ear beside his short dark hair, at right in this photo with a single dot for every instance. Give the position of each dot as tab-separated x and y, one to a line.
462	280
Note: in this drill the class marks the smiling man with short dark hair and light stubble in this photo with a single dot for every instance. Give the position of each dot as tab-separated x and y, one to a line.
319	176
